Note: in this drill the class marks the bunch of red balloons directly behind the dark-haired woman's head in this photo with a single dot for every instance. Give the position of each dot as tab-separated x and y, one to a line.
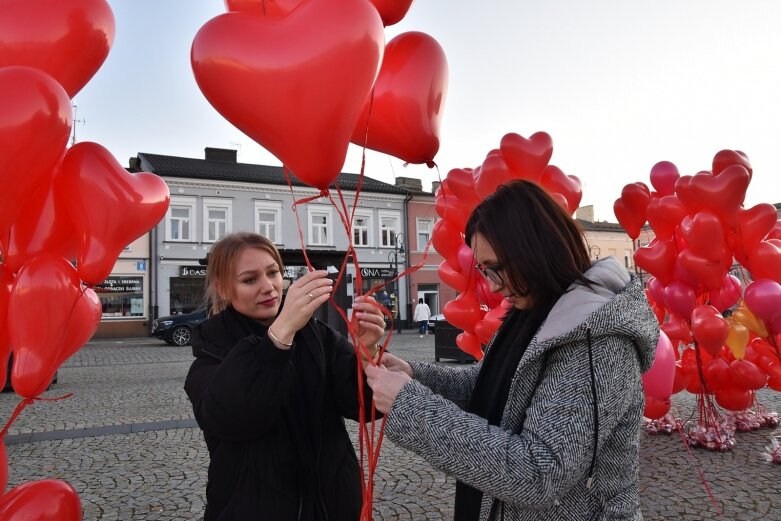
476	310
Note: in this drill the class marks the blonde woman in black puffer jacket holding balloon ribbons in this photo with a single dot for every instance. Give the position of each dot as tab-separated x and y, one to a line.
270	387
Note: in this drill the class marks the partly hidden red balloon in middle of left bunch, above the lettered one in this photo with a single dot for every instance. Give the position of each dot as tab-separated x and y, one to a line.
43	225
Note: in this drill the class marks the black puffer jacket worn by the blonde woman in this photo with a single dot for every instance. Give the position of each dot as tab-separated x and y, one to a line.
273	421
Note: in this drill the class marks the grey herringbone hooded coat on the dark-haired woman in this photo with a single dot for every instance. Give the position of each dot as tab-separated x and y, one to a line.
535	464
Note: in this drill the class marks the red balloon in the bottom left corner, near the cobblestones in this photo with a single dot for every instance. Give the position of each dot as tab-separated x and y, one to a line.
44	500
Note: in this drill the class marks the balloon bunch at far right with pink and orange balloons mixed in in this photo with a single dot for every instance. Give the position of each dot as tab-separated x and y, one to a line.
725	337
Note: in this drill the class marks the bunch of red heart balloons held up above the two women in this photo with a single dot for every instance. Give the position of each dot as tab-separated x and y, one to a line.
304	78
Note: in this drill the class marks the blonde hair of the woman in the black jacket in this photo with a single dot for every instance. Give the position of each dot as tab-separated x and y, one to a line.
222	265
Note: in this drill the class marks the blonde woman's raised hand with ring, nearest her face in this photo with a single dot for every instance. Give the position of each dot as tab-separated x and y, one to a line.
303	297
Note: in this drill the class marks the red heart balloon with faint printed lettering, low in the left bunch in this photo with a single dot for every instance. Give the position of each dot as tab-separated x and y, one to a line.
47	286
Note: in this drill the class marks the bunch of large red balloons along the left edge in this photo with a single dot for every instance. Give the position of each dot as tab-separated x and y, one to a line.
58	208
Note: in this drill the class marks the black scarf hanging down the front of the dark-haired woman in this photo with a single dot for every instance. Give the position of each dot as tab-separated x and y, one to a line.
493	388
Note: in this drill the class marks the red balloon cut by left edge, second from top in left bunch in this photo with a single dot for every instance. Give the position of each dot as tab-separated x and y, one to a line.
35	123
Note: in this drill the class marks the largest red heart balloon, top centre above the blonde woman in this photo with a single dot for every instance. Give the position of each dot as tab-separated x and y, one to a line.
296	84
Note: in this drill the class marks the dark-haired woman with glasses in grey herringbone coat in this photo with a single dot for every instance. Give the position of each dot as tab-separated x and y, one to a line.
546	426
